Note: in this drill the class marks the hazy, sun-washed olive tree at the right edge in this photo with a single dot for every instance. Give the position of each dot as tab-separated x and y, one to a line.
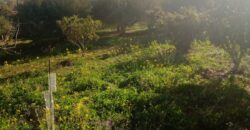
232	29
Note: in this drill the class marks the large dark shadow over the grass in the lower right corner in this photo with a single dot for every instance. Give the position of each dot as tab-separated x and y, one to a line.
194	107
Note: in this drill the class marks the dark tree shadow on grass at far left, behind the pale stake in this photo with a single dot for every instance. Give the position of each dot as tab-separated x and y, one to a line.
37	48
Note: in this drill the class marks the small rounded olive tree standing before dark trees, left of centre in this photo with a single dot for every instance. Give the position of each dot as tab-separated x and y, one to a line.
79	31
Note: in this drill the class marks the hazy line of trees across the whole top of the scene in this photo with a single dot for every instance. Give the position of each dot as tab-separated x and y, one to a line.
224	22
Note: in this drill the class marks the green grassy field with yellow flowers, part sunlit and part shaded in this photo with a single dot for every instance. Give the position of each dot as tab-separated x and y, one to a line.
126	82
